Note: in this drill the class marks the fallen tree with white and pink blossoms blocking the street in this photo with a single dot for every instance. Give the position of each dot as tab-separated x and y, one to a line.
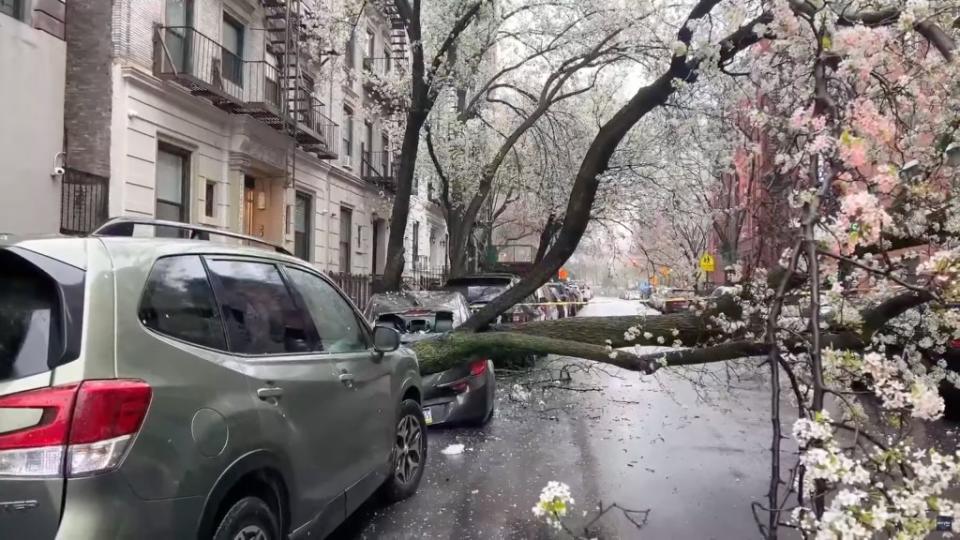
860	104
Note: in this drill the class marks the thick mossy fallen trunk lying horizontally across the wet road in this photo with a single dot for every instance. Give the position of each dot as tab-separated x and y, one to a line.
596	338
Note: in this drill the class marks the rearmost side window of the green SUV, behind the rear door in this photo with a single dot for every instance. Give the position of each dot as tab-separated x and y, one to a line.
178	302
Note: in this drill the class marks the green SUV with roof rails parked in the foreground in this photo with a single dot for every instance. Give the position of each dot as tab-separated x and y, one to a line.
169	388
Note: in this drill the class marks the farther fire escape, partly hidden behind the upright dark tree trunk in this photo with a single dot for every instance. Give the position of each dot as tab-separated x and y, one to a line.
380	168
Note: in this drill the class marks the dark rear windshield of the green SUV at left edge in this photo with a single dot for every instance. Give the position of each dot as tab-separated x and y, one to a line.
31	336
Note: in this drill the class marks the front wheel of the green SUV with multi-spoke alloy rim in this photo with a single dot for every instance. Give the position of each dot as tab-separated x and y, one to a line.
409	455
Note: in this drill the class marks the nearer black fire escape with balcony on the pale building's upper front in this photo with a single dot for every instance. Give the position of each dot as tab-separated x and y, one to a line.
274	90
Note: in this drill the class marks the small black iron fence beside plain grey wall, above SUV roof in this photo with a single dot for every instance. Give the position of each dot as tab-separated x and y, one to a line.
83	202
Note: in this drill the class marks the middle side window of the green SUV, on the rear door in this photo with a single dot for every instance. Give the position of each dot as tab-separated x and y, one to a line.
258	309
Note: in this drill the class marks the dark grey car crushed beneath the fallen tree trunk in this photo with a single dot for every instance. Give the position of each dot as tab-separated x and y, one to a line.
463	394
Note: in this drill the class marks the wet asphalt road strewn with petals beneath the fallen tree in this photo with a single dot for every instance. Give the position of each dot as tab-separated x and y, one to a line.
690	447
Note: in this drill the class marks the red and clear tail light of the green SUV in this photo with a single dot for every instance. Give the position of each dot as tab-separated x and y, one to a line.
84	428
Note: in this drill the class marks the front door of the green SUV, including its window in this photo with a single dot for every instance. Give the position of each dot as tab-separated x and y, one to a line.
363	373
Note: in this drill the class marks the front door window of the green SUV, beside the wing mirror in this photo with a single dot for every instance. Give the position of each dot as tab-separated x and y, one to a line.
338	325
